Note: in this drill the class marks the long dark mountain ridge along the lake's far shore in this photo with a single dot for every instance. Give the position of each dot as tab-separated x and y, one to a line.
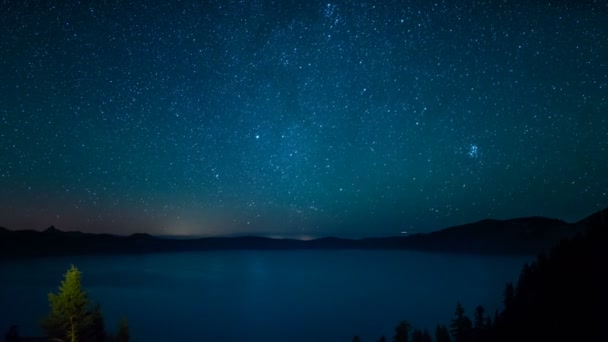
529	235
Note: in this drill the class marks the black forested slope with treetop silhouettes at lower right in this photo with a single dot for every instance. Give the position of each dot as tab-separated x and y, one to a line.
561	296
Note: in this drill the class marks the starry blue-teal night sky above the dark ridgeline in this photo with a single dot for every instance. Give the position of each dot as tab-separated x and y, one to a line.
300	118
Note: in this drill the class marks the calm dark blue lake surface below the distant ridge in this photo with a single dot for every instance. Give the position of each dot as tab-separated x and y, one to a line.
263	295
